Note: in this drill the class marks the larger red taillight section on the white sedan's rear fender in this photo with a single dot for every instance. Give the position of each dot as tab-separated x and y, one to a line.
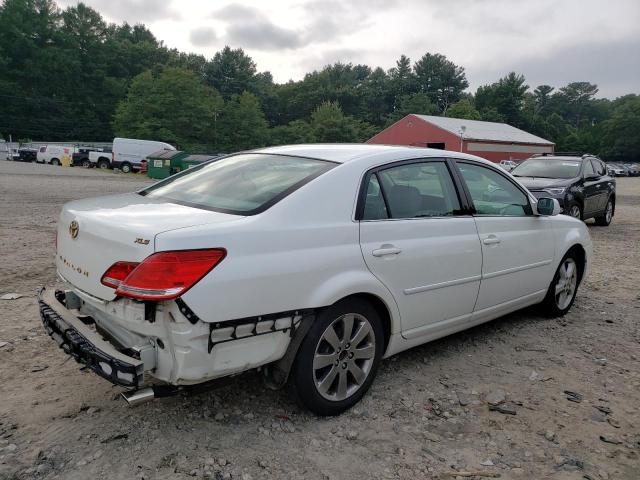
167	275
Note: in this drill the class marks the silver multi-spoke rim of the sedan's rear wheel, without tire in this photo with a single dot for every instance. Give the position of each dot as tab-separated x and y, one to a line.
344	357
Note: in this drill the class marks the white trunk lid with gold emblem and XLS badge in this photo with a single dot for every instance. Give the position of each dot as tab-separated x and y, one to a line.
95	233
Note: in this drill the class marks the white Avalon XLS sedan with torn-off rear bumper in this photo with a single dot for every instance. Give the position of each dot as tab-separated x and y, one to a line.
311	262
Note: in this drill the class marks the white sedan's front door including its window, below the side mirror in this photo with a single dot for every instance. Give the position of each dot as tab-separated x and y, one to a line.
517	246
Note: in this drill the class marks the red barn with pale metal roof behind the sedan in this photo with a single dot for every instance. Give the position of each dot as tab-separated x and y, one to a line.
490	140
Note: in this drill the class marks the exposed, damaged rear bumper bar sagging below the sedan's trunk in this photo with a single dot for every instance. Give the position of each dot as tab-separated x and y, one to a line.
85	345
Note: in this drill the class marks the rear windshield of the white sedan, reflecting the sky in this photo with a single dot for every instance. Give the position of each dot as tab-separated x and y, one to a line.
243	184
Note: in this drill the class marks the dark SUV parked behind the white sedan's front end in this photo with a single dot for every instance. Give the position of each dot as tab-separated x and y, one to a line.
581	184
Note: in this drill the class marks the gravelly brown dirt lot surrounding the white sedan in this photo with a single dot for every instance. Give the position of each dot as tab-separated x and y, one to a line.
426	416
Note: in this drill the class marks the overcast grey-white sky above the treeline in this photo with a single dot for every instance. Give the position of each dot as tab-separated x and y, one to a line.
549	41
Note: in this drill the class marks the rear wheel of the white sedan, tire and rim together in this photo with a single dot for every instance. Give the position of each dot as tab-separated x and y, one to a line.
339	357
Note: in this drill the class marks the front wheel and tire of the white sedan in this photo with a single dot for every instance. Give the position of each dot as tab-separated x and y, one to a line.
564	287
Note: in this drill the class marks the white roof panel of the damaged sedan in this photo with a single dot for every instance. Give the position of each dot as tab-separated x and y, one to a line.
347	152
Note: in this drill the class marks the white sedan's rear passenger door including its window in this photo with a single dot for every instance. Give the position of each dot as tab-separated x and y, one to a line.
420	243
